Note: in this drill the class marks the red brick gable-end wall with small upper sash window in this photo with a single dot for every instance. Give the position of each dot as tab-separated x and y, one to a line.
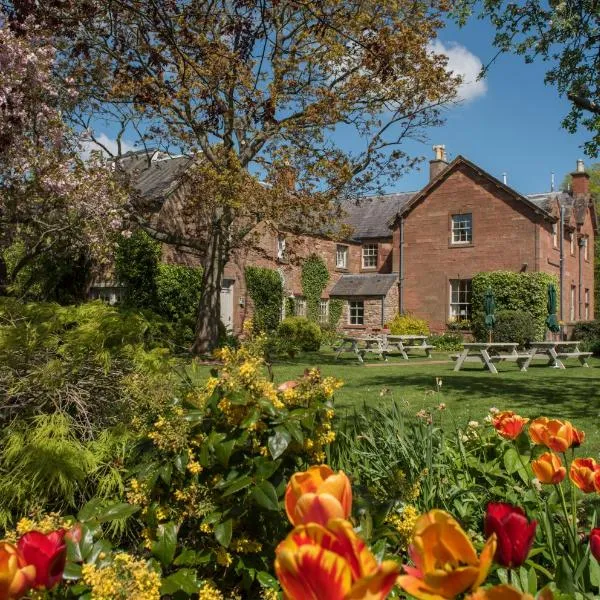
505	237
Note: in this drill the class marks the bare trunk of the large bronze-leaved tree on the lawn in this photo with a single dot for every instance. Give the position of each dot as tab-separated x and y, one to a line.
208	320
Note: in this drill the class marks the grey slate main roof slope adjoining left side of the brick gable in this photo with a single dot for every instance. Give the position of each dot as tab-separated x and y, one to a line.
370	216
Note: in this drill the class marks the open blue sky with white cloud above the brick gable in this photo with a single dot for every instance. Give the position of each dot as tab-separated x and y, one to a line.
508	123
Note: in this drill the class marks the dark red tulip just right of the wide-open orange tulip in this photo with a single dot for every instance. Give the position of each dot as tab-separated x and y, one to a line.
514	532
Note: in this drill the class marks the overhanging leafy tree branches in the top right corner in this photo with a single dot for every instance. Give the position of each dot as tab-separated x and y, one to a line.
566	35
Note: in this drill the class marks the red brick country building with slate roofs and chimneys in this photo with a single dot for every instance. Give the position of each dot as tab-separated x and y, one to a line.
414	252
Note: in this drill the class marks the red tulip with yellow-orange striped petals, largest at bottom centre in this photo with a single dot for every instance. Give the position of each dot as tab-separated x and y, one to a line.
333	563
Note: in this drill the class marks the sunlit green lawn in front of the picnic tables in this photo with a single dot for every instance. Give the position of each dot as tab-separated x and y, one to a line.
572	393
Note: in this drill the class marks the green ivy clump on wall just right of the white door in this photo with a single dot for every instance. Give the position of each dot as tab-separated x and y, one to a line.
265	287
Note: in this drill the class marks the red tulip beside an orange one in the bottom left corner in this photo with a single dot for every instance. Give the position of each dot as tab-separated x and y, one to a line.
48	553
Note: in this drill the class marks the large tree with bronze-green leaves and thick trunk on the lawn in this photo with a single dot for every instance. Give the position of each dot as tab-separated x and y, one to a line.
313	98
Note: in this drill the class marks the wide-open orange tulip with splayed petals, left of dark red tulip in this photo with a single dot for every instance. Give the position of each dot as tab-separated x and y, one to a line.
446	563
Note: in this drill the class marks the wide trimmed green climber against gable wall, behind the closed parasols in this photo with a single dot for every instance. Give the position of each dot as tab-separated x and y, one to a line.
526	292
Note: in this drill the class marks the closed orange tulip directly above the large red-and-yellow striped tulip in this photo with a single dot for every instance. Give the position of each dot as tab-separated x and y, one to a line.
330	496
